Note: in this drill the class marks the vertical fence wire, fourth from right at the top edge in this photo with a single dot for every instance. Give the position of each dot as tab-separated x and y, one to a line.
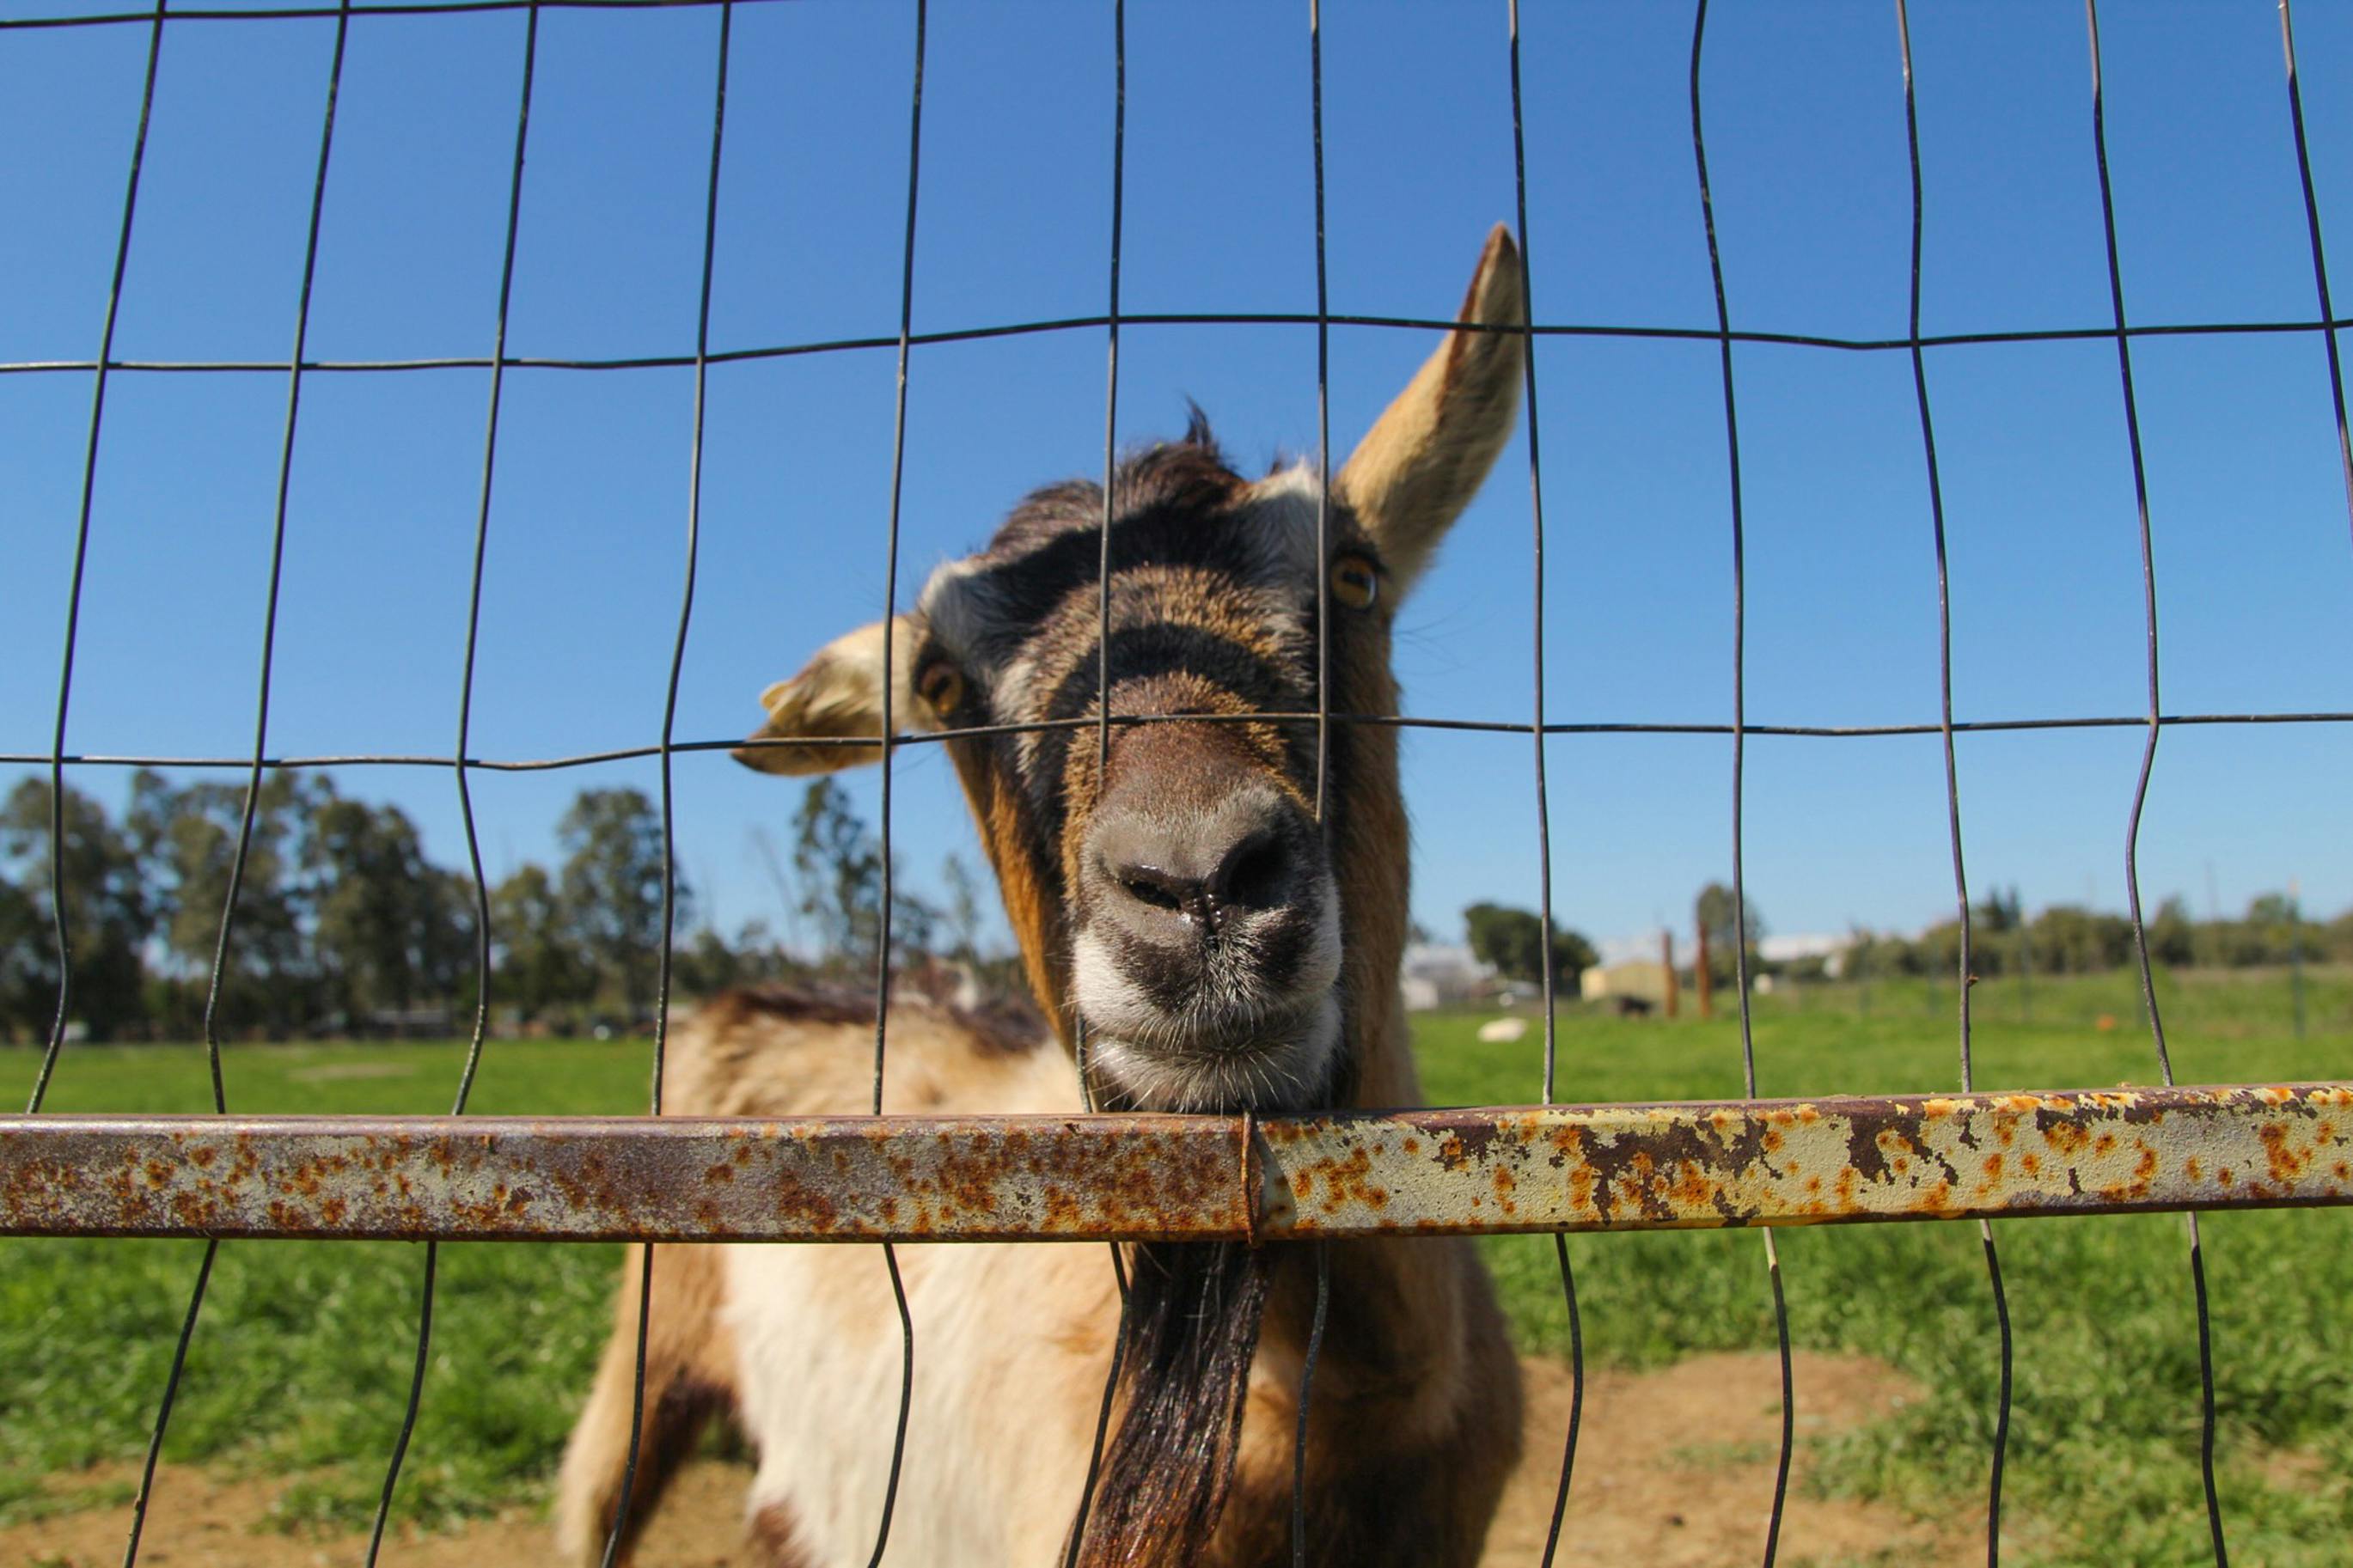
1740	756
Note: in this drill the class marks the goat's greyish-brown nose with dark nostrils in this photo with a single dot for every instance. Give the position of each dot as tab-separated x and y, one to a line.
1201	869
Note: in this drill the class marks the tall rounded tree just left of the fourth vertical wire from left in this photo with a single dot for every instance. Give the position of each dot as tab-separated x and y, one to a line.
611	890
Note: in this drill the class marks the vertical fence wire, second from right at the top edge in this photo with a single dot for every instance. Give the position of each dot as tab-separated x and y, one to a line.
2149	758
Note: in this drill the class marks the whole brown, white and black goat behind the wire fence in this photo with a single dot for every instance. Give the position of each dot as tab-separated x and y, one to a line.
1225	951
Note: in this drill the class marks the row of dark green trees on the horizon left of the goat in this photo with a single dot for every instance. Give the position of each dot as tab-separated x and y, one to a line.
347	927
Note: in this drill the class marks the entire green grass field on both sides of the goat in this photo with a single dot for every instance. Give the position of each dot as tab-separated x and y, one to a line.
305	1353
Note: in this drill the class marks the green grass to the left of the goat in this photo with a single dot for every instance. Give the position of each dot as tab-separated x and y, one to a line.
305	1353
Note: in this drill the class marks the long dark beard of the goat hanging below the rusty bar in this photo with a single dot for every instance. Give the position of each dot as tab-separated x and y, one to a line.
1189	1334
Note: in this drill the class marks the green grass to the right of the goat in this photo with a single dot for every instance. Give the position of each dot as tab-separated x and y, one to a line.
2102	1461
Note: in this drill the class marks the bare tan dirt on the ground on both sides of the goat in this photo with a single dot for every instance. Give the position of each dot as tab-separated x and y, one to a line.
1674	1470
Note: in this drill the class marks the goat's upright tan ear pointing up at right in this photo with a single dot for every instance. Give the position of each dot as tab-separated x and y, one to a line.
1422	462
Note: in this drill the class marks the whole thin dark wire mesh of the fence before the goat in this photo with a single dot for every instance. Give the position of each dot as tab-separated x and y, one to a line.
462	763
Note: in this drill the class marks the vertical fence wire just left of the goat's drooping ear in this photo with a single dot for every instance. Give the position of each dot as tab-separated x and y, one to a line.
669	721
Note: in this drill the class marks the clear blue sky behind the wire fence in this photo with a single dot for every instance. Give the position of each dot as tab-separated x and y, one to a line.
1806	138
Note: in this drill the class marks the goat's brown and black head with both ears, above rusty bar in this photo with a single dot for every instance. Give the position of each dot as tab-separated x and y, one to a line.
1178	894
